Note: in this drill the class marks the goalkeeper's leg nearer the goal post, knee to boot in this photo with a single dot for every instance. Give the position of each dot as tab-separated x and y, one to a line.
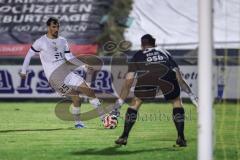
179	118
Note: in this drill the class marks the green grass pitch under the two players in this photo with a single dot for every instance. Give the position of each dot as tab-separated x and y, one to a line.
32	131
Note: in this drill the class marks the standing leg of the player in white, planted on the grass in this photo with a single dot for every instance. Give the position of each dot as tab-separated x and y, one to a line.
75	110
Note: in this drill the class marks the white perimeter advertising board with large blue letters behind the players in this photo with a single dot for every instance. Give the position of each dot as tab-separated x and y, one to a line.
106	83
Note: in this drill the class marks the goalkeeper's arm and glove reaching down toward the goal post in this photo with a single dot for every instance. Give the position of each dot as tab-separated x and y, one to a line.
185	87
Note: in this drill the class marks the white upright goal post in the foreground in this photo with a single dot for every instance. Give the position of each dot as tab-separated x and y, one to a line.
205	128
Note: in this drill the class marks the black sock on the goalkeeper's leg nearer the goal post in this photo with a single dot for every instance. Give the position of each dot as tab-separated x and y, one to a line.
178	118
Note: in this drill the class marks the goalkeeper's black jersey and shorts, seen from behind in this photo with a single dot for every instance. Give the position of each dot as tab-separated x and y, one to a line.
154	72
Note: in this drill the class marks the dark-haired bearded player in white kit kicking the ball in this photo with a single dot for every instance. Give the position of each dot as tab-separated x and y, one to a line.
55	55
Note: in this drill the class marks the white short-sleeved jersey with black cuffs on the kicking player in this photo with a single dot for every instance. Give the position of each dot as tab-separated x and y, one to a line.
52	52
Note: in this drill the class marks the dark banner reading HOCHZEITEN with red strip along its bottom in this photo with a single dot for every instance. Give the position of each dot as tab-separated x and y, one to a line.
23	21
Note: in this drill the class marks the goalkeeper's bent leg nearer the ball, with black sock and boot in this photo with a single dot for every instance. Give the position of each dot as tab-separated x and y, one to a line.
130	119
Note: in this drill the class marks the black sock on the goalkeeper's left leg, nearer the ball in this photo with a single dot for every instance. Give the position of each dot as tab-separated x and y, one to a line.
130	119
